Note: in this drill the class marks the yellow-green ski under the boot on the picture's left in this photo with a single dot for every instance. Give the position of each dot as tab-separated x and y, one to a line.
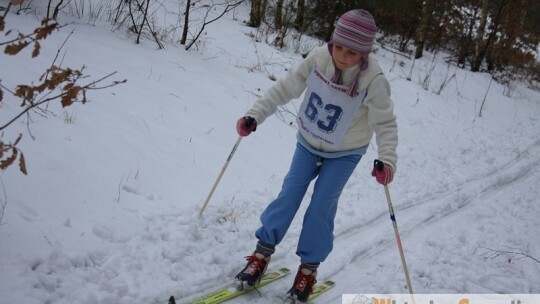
229	293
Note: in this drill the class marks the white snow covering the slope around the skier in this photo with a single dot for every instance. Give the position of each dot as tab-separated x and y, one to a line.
109	210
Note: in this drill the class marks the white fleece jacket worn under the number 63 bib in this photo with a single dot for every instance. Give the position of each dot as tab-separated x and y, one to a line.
376	115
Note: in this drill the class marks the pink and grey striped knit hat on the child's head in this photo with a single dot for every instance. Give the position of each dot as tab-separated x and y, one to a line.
356	30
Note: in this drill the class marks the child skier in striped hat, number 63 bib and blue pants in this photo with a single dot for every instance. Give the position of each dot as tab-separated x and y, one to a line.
347	99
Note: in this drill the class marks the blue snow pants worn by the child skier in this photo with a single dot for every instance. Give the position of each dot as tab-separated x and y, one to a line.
316	237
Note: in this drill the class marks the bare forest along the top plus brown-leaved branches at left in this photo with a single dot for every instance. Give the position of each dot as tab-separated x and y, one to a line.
497	36
